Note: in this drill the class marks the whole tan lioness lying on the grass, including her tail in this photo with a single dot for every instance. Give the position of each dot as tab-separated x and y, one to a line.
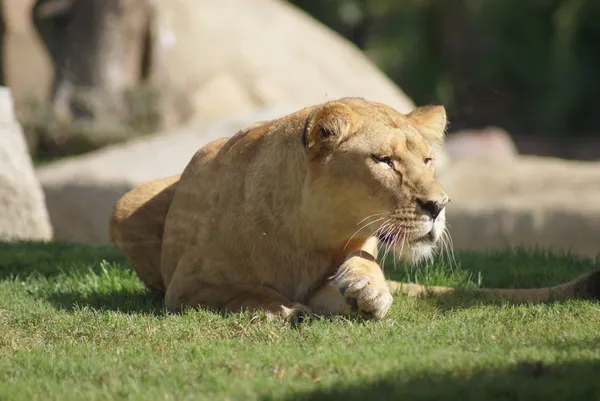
287	215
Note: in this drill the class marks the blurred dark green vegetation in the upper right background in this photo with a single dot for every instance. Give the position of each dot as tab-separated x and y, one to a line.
528	66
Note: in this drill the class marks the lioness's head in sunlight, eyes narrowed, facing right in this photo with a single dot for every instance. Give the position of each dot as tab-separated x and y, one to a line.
371	174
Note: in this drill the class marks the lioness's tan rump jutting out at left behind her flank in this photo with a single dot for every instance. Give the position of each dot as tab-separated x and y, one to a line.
137	225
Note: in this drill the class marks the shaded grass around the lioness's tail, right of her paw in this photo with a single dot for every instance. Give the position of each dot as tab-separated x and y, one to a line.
514	268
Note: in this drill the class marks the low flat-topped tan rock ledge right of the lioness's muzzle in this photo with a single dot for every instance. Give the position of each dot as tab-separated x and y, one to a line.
528	201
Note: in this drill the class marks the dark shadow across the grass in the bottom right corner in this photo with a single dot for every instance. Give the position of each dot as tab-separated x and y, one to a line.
529	380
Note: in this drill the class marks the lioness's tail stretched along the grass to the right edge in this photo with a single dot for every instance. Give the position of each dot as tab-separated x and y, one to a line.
586	286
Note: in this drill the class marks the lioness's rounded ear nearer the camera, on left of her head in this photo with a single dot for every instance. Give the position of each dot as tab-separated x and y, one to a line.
327	126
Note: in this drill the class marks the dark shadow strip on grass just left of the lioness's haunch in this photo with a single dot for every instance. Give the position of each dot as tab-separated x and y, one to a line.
121	301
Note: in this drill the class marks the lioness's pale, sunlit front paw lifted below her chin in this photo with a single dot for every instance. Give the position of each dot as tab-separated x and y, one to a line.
362	284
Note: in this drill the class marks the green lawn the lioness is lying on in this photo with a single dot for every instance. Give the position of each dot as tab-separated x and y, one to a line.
76	324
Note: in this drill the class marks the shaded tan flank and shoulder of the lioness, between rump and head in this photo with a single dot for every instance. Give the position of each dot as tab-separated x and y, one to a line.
247	217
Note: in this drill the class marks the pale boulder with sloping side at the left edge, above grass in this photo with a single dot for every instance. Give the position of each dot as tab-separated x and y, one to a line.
23	215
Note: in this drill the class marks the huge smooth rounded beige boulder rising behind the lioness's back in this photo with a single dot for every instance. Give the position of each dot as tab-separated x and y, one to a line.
217	58
